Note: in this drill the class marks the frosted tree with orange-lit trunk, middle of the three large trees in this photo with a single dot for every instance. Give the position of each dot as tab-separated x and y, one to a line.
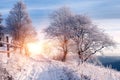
59	28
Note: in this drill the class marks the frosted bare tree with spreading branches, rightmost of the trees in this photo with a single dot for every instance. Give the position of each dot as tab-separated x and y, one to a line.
88	38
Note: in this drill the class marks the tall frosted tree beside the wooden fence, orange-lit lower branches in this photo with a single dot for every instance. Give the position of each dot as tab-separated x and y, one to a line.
19	25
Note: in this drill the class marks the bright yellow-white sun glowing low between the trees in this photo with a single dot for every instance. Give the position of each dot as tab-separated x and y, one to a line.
42	47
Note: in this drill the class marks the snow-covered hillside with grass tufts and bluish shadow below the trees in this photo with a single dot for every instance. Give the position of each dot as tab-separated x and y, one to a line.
25	68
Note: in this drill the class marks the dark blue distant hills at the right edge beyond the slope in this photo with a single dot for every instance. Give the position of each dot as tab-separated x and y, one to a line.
110	61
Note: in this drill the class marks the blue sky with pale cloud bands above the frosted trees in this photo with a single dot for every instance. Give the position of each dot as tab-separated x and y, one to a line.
104	13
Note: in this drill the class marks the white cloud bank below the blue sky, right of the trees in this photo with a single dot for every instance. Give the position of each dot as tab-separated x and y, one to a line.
111	27
